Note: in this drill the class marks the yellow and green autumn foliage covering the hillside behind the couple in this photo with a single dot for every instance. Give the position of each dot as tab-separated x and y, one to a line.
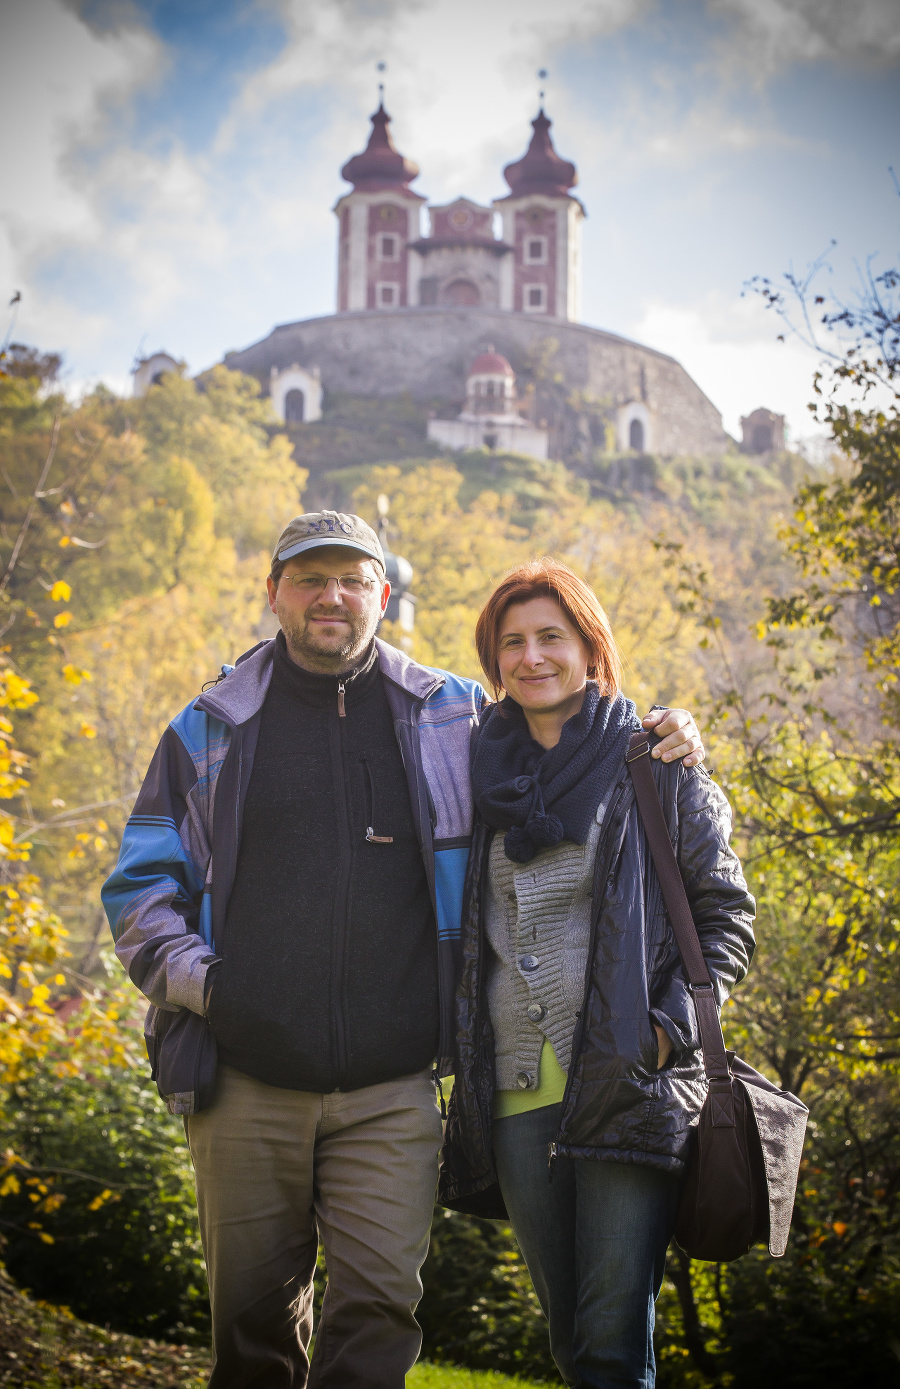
134	545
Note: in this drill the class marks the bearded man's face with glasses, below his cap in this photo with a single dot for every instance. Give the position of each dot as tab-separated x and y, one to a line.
328	627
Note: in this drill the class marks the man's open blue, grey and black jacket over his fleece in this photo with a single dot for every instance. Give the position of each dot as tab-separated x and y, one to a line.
169	892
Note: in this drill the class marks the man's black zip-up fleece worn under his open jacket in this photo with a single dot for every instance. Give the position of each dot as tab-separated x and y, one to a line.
328	976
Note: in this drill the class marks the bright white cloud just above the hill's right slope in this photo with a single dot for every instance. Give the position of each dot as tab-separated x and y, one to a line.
730	349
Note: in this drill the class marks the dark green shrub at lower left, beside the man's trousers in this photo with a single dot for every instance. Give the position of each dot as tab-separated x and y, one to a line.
98	1209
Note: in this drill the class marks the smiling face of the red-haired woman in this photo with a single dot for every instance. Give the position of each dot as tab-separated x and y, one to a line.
542	656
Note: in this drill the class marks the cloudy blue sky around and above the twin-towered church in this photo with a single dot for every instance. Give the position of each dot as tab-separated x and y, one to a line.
169	167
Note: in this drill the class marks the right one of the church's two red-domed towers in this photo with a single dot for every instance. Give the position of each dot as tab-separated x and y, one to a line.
544	224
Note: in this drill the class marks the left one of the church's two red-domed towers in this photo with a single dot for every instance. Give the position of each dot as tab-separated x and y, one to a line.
378	220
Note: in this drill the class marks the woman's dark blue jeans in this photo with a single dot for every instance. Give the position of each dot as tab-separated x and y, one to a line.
595	1241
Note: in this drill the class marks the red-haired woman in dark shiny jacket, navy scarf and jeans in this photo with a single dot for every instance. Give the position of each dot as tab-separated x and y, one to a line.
578	1073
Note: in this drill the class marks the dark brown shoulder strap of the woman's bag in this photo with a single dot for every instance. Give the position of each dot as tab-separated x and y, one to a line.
678	908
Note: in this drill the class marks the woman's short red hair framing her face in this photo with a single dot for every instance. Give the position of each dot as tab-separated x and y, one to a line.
549	580
